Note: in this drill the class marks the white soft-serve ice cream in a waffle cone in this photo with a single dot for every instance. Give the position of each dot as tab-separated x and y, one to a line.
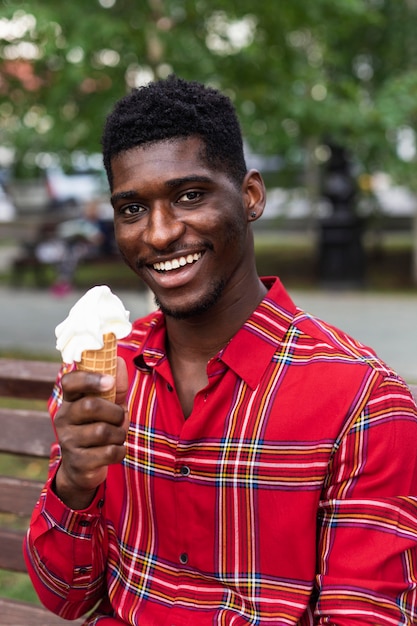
89	334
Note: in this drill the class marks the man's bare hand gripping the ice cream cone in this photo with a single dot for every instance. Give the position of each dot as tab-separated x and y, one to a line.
91	432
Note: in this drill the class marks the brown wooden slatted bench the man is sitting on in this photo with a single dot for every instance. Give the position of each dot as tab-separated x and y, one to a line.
26	432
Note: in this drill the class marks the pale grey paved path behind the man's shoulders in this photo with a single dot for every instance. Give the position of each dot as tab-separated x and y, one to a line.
388	323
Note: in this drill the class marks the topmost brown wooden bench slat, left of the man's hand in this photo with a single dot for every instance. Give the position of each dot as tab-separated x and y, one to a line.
27	379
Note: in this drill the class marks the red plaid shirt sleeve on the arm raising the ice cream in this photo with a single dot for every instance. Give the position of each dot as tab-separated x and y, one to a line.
65	550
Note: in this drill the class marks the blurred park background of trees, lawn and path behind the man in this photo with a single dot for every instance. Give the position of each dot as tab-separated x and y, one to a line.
326	93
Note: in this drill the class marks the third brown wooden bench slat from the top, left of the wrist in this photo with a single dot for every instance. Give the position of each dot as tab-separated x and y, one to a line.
18	495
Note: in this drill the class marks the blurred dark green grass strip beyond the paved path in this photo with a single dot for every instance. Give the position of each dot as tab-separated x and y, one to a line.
291	255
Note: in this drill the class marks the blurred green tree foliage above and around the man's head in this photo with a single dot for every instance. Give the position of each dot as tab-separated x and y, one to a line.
299	72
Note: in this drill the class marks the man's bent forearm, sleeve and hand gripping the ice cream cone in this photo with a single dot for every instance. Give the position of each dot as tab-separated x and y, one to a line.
65	547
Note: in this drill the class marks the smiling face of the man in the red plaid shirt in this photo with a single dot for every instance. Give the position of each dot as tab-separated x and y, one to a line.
181	226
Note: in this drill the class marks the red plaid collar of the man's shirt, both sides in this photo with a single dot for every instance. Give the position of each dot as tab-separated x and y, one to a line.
257	339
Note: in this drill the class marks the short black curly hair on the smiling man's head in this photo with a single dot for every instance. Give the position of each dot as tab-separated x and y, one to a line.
171	108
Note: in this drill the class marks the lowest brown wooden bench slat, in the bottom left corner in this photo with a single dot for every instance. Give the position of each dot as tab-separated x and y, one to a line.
14	613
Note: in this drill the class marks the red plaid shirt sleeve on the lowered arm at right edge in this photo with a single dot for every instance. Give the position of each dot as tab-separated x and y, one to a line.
367	561
